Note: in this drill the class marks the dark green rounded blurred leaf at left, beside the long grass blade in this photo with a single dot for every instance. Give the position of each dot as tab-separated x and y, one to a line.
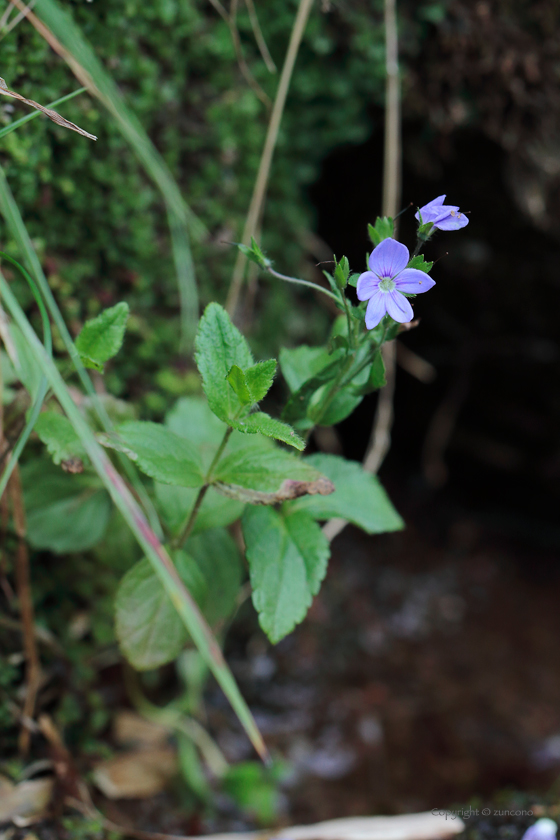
65	513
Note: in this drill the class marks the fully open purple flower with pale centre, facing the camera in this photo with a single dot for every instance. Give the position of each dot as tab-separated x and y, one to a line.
388	278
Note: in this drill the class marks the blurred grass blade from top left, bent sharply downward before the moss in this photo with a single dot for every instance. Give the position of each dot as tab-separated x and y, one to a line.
65	37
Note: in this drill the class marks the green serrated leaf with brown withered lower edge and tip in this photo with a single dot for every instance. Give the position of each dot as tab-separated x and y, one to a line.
275	474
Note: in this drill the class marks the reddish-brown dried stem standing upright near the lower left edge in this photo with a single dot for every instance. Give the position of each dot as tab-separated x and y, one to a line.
23	587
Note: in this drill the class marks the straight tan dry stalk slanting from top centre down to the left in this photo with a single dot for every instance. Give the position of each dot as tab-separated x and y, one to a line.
259	191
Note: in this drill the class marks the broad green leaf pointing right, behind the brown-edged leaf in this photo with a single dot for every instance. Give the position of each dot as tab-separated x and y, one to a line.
358	497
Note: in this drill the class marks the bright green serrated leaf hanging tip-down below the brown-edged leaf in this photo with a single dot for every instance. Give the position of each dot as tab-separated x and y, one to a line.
287	556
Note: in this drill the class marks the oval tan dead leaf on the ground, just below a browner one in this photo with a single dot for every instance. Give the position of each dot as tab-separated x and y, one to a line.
136	775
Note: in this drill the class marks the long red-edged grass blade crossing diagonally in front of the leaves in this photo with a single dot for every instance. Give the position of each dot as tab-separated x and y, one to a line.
153	549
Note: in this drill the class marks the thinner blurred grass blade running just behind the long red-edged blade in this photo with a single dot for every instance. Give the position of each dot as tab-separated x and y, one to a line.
10	211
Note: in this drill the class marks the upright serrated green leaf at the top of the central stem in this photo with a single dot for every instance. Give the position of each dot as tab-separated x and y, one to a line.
219	346
